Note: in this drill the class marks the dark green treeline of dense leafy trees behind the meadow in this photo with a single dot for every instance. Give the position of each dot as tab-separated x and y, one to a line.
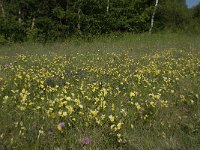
49	20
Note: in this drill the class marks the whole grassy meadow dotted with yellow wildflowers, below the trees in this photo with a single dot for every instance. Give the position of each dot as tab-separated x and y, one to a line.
137	92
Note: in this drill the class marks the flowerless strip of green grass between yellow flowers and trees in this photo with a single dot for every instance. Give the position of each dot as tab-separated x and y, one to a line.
135	44
